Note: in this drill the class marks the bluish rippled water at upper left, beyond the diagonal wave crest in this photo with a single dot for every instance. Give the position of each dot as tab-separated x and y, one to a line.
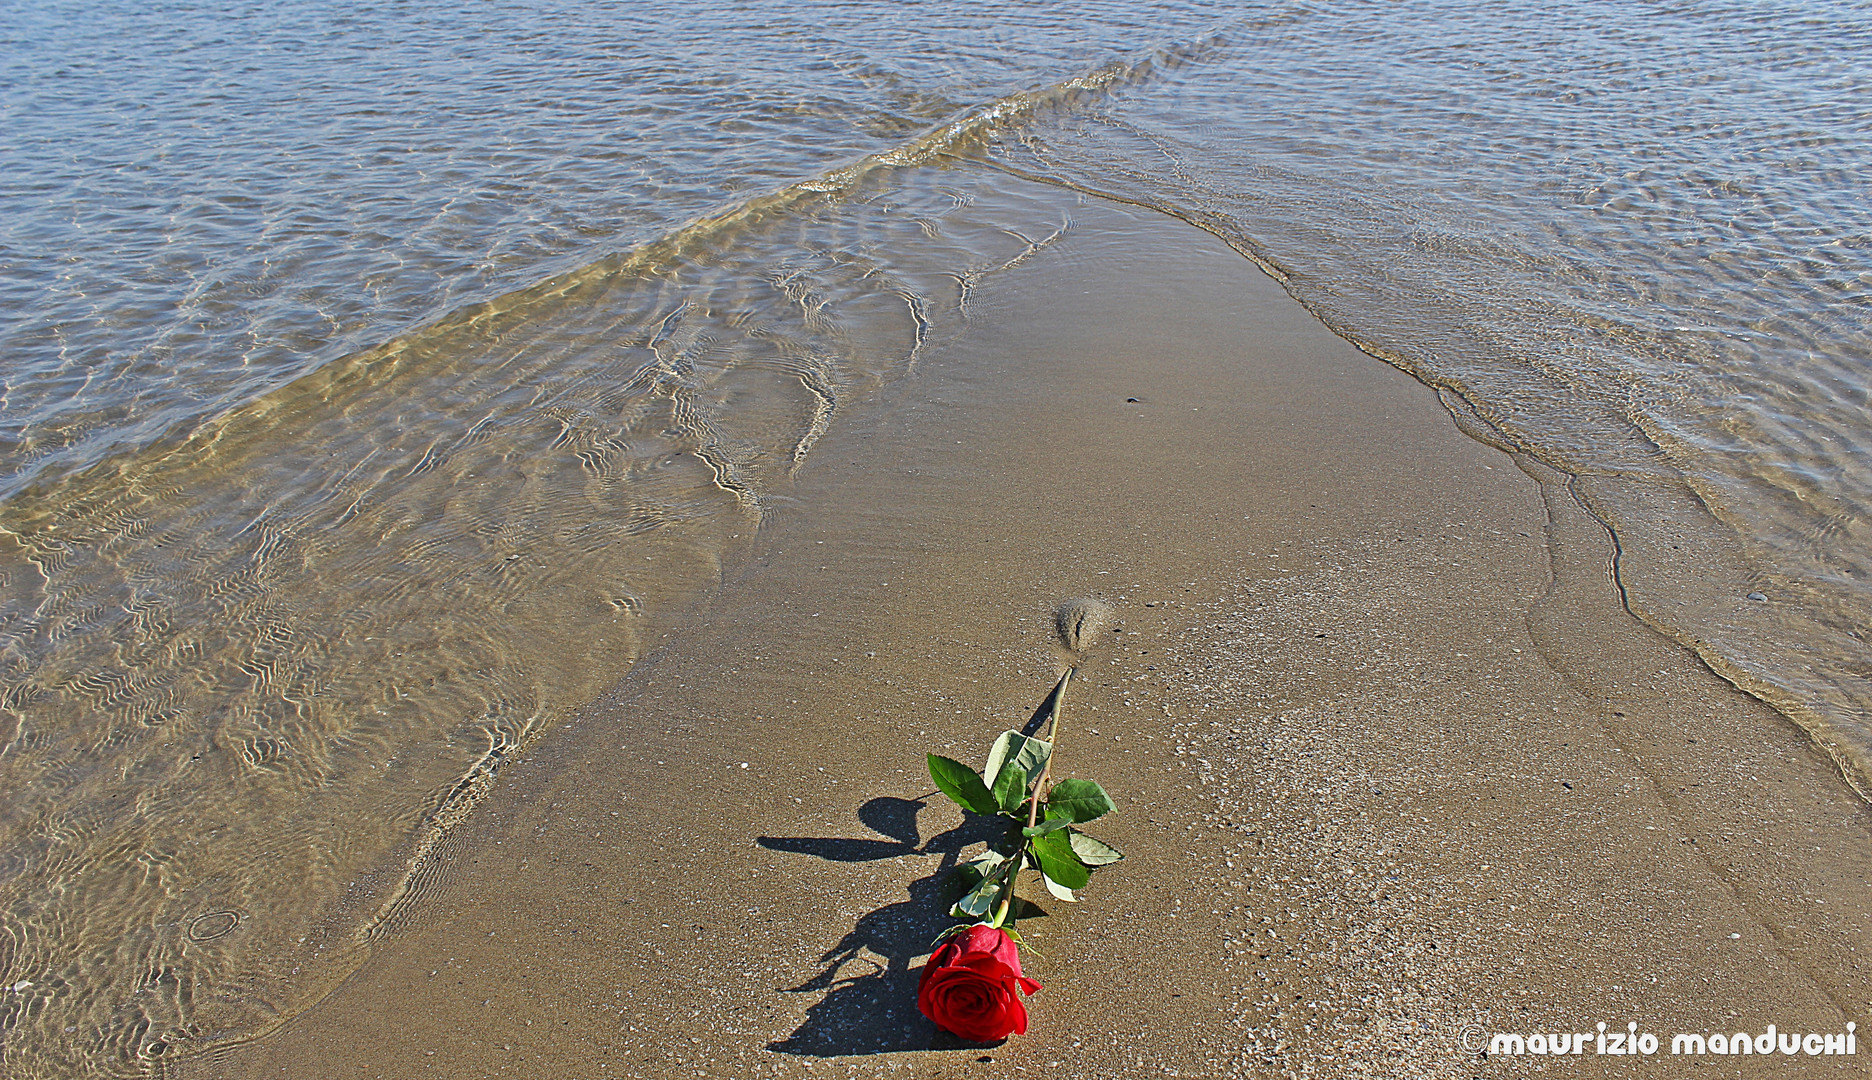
199	205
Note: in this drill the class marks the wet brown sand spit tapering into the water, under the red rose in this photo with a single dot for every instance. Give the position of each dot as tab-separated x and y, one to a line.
1394	765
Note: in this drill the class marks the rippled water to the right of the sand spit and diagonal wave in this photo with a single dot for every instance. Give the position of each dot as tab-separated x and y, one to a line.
1637	242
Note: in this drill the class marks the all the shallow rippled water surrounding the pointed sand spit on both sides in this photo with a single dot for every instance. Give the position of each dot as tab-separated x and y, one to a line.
372	379
